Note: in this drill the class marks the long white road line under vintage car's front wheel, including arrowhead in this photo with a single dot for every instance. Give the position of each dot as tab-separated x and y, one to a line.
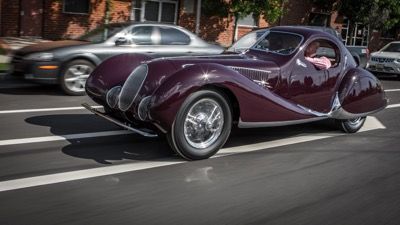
371	124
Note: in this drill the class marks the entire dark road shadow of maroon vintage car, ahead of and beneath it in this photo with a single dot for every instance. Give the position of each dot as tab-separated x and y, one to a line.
117	148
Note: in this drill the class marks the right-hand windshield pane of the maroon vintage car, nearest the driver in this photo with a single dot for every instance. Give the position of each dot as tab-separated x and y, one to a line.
279	42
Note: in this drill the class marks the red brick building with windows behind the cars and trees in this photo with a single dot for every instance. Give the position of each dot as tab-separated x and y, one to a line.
56	19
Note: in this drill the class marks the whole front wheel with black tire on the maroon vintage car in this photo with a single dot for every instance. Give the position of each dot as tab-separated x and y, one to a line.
202	125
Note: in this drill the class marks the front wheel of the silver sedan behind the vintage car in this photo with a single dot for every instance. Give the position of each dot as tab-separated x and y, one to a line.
74	75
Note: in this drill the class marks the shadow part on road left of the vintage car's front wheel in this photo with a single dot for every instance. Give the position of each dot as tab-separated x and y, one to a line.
102	149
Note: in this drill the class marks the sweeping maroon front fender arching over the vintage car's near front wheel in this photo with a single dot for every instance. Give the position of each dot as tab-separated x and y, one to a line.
256	103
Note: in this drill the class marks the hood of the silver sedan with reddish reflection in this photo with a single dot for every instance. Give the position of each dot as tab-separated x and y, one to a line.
49	46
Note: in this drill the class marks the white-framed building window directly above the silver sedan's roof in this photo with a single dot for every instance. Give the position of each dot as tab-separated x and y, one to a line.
164	11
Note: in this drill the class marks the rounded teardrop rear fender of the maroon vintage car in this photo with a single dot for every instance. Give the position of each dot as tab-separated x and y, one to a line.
361	93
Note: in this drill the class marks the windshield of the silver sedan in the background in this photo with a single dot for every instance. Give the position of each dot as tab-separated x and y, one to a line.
102	33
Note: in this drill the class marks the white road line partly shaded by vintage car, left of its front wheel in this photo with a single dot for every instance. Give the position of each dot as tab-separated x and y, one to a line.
63	137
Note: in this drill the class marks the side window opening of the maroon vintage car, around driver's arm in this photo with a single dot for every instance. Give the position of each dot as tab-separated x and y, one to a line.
324	48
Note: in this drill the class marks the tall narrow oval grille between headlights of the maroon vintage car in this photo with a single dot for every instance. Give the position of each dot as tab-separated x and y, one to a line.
132	86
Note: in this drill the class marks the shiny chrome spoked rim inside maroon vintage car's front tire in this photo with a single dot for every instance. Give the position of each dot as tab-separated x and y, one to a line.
203	123
